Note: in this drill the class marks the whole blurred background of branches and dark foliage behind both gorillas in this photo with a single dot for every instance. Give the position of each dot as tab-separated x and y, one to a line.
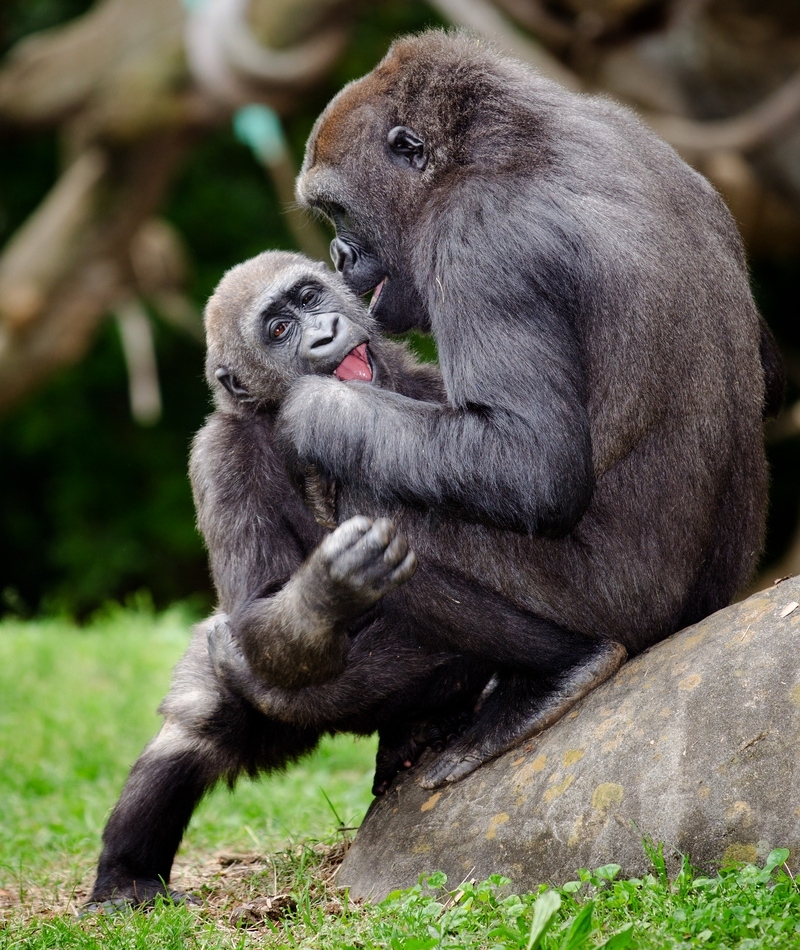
148	145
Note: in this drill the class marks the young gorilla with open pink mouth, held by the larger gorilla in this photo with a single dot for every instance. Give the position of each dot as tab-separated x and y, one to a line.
320	653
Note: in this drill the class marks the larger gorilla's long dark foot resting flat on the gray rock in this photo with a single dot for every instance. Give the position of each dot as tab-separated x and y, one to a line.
518	709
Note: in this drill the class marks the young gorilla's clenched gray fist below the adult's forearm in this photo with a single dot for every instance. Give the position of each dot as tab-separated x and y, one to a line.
365	559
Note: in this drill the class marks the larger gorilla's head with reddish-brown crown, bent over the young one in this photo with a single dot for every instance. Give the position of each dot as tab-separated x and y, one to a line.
425	121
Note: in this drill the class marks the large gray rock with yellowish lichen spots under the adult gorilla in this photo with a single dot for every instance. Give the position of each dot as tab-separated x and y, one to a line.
695	743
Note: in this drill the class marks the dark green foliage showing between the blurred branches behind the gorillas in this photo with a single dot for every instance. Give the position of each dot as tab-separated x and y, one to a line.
93	507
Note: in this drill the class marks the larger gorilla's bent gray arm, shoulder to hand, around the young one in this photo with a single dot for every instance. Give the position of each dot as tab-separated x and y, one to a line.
512	446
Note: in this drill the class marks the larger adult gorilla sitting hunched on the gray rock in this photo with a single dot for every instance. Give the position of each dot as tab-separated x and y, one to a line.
605	367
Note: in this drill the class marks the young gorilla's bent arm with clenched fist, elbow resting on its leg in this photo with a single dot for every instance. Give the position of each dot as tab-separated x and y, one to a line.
288	612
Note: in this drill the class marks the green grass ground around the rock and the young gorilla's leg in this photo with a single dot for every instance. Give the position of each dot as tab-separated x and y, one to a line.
77	705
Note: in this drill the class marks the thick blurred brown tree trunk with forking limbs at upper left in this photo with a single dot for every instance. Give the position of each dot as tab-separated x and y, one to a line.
118	85
